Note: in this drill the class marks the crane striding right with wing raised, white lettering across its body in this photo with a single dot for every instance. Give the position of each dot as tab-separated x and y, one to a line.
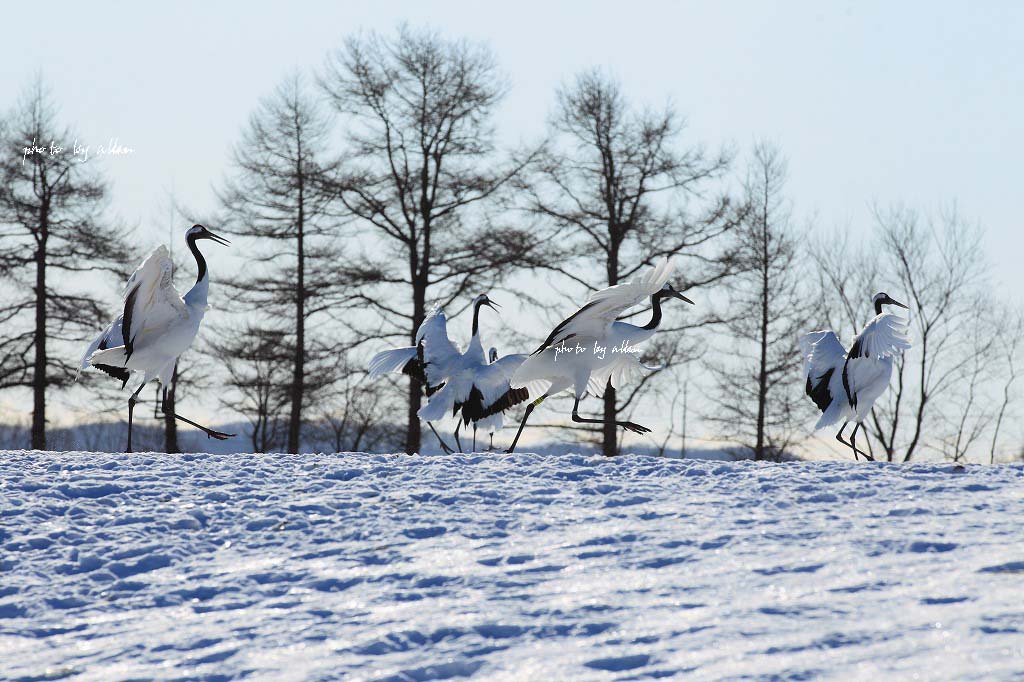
591	349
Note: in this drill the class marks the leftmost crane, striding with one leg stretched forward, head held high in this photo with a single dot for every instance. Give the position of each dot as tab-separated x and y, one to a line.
156	327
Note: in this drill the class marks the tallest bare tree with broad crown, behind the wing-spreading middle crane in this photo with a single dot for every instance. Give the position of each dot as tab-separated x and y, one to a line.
421	164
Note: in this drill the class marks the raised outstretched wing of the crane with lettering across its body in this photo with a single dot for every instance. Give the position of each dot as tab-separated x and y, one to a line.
605	307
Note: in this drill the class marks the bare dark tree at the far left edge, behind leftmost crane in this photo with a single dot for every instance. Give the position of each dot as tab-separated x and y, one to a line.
52	206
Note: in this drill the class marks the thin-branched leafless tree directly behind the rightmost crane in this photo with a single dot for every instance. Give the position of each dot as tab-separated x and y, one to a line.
938	266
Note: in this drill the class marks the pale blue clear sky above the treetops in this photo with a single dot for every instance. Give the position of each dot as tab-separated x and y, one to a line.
921	103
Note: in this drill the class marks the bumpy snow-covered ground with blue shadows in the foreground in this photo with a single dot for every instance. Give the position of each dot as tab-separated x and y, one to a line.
389	567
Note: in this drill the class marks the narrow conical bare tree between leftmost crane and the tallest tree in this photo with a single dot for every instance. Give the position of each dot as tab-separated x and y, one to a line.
279	195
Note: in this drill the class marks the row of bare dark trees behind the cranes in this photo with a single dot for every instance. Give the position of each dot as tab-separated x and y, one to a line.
373	187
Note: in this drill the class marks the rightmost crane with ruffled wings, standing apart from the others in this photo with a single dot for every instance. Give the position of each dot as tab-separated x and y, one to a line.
845	385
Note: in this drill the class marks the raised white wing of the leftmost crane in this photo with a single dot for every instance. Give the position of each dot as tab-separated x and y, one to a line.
152	303
